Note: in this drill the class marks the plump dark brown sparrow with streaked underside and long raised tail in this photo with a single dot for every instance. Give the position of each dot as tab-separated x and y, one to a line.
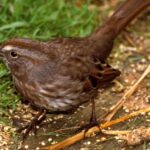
61	74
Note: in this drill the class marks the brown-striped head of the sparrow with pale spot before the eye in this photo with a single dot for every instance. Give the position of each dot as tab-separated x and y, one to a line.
24	54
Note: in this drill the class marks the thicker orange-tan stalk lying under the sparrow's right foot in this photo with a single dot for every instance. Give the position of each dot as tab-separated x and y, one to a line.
71	140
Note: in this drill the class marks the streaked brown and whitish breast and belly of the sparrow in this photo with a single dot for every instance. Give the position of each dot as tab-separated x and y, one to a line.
55	96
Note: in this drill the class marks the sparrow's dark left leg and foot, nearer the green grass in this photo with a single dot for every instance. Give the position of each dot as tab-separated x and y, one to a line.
32	124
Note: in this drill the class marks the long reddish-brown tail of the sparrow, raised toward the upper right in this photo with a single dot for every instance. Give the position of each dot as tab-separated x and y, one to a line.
115	24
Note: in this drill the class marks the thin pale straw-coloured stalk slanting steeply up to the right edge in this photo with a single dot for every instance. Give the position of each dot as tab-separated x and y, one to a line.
120	103
